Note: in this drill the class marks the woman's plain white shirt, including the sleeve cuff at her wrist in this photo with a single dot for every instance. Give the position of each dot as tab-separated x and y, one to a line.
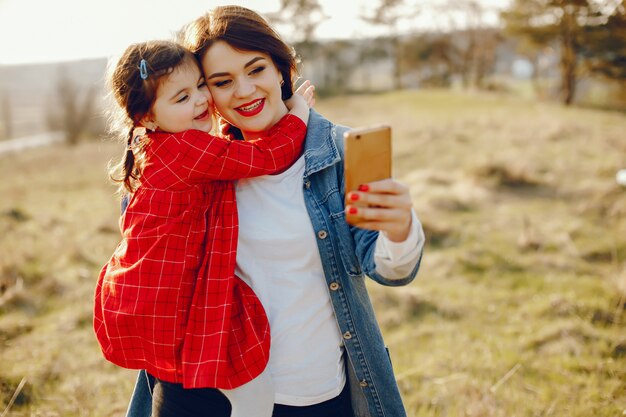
277	256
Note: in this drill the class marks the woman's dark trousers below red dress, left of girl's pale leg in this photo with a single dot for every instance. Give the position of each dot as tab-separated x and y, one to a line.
172	400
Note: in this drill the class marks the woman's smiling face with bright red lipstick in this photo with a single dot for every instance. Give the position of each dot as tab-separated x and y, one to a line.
245	86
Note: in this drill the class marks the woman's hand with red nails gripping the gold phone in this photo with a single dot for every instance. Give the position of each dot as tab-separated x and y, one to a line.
382	205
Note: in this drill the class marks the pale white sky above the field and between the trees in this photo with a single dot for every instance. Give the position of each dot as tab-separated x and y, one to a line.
61	30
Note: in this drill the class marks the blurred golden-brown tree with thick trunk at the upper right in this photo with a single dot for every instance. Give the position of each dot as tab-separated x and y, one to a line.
566	23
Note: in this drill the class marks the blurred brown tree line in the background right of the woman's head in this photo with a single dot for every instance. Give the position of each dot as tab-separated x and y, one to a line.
587	36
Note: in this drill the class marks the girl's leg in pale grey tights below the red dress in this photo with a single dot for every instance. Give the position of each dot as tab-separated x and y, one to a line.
254	399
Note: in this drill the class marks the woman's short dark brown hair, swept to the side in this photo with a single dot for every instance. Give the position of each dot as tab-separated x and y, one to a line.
245	30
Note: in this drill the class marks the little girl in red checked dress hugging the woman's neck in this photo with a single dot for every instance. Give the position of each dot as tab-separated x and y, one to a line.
168	300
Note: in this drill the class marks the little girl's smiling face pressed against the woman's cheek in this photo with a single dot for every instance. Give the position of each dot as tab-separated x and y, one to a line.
182	102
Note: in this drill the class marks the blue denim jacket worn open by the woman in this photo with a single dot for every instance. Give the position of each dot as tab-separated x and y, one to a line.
347	255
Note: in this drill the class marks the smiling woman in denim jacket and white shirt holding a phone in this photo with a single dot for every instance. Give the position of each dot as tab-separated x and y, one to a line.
295	248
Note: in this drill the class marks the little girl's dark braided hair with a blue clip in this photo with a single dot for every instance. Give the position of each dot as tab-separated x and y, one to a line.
133	83
